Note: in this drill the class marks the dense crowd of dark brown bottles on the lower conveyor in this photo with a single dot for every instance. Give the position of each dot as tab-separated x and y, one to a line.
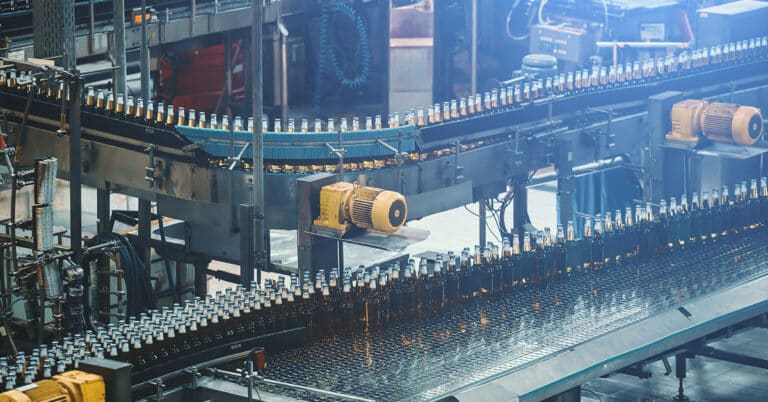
370	299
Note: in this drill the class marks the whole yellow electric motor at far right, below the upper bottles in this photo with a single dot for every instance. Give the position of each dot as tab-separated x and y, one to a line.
722	122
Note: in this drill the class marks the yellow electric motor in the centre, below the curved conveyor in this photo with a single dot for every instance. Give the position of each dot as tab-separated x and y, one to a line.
347	205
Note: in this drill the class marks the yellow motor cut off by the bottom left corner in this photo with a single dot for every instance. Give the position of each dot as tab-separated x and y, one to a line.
72	386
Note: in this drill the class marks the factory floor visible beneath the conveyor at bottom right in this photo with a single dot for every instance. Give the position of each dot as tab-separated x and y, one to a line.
707	379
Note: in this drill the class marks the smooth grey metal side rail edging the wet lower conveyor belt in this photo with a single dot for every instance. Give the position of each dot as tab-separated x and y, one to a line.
636	342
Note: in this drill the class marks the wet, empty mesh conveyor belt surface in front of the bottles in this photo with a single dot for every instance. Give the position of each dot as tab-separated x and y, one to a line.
440	355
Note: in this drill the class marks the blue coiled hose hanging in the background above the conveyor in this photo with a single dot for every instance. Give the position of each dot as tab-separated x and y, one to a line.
326	53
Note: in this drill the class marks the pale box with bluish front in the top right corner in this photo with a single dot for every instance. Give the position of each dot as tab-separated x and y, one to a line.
731	22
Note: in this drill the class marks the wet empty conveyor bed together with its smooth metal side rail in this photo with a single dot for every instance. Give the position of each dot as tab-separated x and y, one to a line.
490	346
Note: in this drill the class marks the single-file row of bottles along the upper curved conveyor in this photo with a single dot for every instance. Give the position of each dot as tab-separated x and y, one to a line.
507	97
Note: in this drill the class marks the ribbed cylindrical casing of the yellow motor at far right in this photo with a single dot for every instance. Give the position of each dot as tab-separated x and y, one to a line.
727	122
